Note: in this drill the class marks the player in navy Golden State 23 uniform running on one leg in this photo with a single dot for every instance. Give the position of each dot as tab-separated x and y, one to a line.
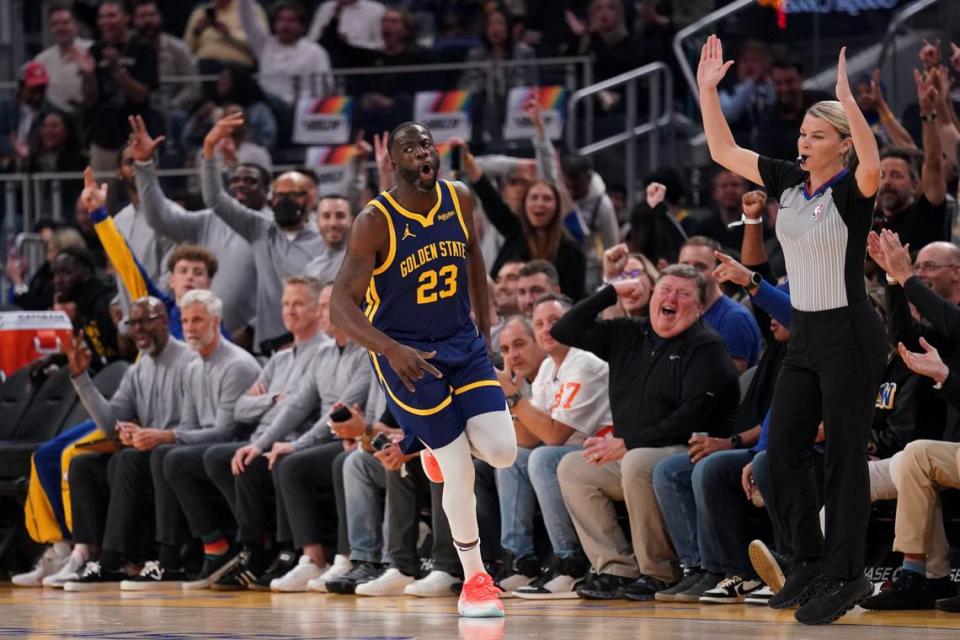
414	264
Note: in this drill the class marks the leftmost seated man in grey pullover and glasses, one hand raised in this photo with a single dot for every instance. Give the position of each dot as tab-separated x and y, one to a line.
110	492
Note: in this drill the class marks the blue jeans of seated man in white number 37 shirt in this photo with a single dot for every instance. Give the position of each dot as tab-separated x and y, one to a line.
533	479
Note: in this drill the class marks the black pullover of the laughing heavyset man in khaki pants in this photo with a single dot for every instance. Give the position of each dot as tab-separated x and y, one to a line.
661	391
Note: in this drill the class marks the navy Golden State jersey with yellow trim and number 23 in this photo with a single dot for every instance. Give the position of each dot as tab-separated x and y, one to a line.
420	291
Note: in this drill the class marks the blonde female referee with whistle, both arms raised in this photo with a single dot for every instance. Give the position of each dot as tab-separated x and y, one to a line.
837	353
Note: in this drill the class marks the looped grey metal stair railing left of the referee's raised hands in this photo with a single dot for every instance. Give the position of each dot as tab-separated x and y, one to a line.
659	113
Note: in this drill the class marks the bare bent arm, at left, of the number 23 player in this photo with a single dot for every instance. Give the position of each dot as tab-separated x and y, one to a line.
368	235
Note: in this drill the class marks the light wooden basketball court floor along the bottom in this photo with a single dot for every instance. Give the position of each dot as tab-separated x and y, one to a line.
52	614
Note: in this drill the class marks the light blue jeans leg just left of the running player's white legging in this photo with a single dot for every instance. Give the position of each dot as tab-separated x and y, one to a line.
364	485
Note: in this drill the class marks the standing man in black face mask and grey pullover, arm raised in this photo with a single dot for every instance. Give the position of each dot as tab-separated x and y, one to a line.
282	247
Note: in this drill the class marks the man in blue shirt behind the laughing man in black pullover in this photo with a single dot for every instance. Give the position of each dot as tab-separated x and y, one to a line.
733	321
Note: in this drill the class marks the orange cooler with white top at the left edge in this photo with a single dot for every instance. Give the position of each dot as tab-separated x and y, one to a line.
28	335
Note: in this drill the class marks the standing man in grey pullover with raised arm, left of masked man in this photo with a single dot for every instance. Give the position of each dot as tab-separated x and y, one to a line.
248	185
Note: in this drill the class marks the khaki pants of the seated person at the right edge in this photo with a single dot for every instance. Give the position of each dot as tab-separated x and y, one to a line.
927	466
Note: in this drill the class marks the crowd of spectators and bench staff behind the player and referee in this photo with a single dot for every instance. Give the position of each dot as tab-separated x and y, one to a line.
620	333
